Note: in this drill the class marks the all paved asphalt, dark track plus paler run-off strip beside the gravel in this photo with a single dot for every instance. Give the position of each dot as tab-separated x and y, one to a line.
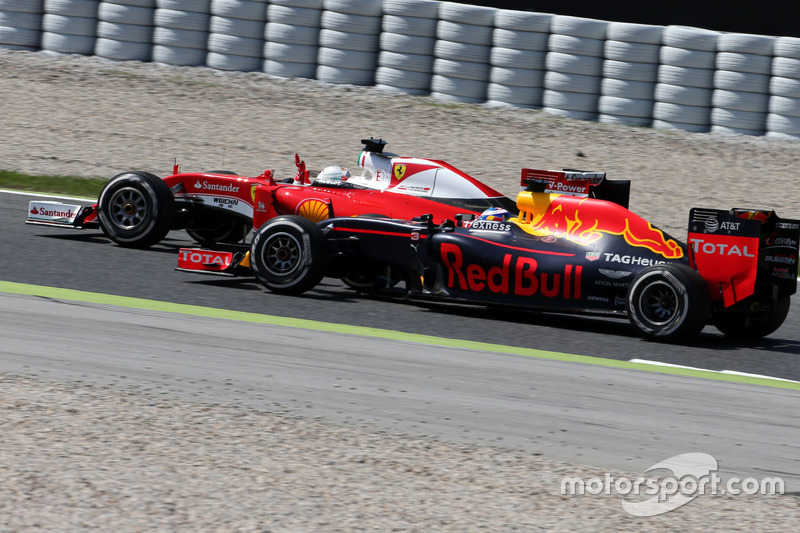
622	418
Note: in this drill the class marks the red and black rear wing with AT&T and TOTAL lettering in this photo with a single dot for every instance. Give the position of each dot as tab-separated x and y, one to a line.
742	252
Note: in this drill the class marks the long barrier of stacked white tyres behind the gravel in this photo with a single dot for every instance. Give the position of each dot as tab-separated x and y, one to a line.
671	77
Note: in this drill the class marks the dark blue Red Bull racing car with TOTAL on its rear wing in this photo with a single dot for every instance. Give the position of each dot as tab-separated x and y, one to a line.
574	246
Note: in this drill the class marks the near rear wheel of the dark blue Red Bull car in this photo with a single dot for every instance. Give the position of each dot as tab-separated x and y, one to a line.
668	303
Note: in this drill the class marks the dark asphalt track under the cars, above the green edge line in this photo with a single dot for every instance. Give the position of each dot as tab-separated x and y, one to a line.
87	261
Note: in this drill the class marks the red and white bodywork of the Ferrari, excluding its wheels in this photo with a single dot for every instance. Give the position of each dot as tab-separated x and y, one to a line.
261	198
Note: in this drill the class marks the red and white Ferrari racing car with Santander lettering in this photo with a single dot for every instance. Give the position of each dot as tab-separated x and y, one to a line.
137	209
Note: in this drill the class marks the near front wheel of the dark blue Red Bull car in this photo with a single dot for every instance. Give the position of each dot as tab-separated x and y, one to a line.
289	254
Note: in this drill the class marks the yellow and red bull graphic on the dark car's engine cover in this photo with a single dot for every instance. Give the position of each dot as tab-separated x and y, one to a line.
585	220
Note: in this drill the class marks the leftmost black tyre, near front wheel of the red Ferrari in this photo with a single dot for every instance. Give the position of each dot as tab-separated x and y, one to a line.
136	209
